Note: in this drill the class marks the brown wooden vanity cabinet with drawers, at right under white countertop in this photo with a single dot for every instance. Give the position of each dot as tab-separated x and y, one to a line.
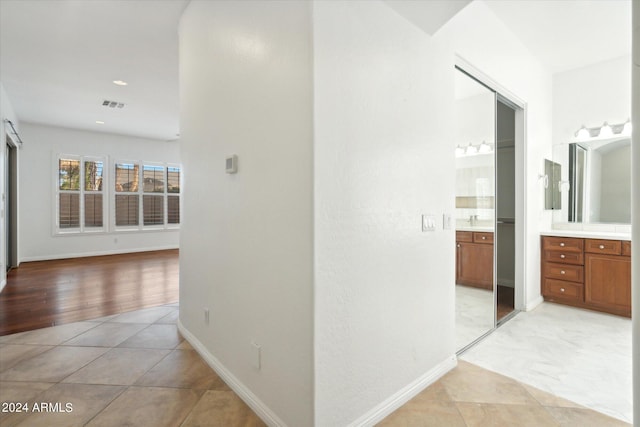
587	273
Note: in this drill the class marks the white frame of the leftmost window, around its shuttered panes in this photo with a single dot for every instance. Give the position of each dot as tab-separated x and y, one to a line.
82	228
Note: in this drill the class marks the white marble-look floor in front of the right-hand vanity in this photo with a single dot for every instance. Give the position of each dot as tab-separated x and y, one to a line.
576	354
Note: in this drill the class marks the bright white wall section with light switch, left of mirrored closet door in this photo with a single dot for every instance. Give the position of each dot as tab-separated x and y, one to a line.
384	155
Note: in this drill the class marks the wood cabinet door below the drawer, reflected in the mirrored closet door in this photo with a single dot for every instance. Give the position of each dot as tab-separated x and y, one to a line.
475	265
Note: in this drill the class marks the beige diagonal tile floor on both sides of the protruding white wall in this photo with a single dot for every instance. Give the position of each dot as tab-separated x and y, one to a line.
135	369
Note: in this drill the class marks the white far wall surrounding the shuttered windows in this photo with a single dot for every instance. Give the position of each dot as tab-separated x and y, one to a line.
36	197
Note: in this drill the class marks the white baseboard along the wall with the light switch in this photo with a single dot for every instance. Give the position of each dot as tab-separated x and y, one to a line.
407	393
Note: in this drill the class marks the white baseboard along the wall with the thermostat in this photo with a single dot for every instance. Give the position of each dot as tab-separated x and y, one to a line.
259	407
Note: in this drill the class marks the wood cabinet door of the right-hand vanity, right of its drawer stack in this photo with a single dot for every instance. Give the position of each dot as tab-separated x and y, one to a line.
608	282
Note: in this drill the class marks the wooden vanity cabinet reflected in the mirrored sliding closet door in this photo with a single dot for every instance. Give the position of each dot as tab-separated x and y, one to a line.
474	259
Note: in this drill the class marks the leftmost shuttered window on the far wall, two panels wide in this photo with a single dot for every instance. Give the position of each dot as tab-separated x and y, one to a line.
79	194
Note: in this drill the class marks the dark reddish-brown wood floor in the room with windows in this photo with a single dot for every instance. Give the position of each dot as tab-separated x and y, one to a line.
46	293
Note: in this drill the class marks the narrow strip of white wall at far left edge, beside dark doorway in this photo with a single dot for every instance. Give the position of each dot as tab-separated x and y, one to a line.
6	112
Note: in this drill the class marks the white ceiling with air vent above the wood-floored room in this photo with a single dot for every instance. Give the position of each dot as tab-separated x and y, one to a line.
58	60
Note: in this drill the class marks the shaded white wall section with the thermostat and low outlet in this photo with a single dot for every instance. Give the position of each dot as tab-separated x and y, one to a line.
246	239
